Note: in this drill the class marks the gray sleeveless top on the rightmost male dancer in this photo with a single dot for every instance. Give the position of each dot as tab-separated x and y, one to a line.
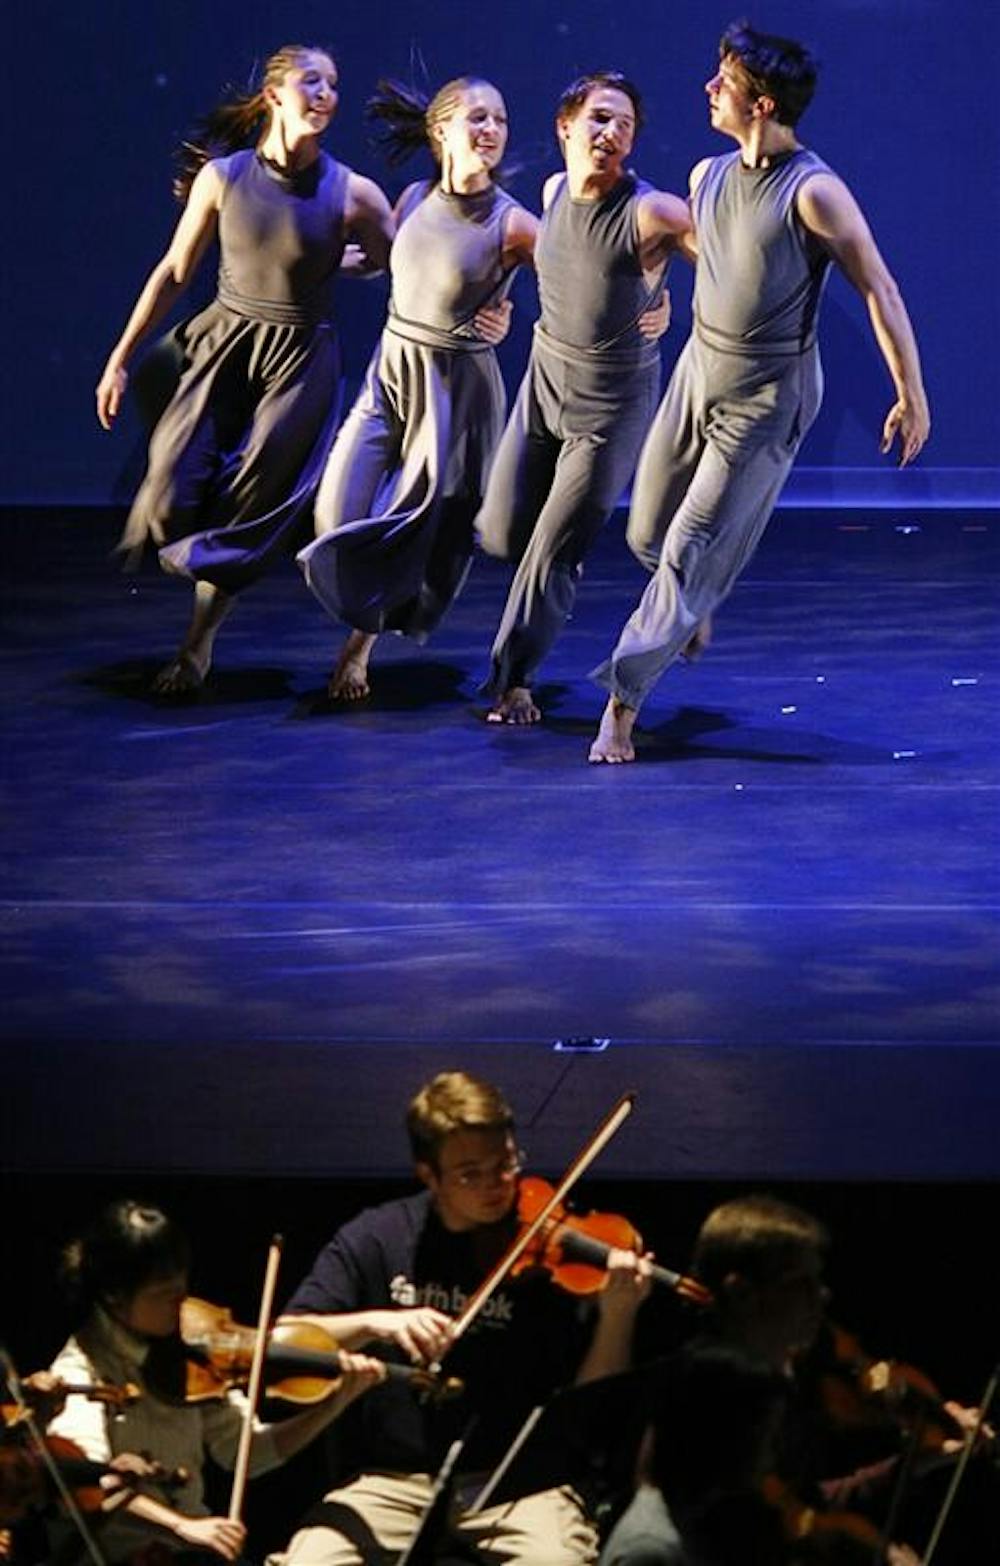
760	275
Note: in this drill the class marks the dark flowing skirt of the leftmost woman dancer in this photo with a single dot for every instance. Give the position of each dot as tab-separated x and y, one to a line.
237	456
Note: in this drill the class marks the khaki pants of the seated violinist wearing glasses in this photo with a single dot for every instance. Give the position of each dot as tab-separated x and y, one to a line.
370	1523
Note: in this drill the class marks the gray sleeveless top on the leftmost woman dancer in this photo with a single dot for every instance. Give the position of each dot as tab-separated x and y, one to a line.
281	239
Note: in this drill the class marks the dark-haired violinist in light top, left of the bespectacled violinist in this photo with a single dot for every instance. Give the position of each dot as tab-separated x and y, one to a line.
129	1277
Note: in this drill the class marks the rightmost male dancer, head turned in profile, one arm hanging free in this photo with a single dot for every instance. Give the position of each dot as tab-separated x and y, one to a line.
769	222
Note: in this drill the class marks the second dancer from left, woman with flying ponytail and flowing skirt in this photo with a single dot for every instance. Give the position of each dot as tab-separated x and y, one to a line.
408	471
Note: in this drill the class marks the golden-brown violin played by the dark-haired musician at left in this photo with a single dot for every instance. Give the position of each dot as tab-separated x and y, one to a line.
303	1362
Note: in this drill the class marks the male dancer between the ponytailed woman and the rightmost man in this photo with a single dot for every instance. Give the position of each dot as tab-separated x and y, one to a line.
592	380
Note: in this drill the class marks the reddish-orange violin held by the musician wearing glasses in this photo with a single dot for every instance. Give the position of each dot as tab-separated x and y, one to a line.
574	1249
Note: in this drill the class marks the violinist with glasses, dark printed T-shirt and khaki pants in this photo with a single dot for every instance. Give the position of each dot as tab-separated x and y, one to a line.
397	1277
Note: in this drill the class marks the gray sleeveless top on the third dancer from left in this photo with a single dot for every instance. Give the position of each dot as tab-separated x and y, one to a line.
591	280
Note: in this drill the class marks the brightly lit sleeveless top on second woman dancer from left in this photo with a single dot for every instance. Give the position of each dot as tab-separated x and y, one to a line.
447	264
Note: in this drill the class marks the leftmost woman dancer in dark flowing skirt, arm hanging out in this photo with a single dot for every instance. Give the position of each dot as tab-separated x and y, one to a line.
236	458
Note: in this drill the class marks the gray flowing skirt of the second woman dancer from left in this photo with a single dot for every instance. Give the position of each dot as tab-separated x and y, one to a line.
405	480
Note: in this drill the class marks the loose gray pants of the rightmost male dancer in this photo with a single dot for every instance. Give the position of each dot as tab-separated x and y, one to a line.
710	477
